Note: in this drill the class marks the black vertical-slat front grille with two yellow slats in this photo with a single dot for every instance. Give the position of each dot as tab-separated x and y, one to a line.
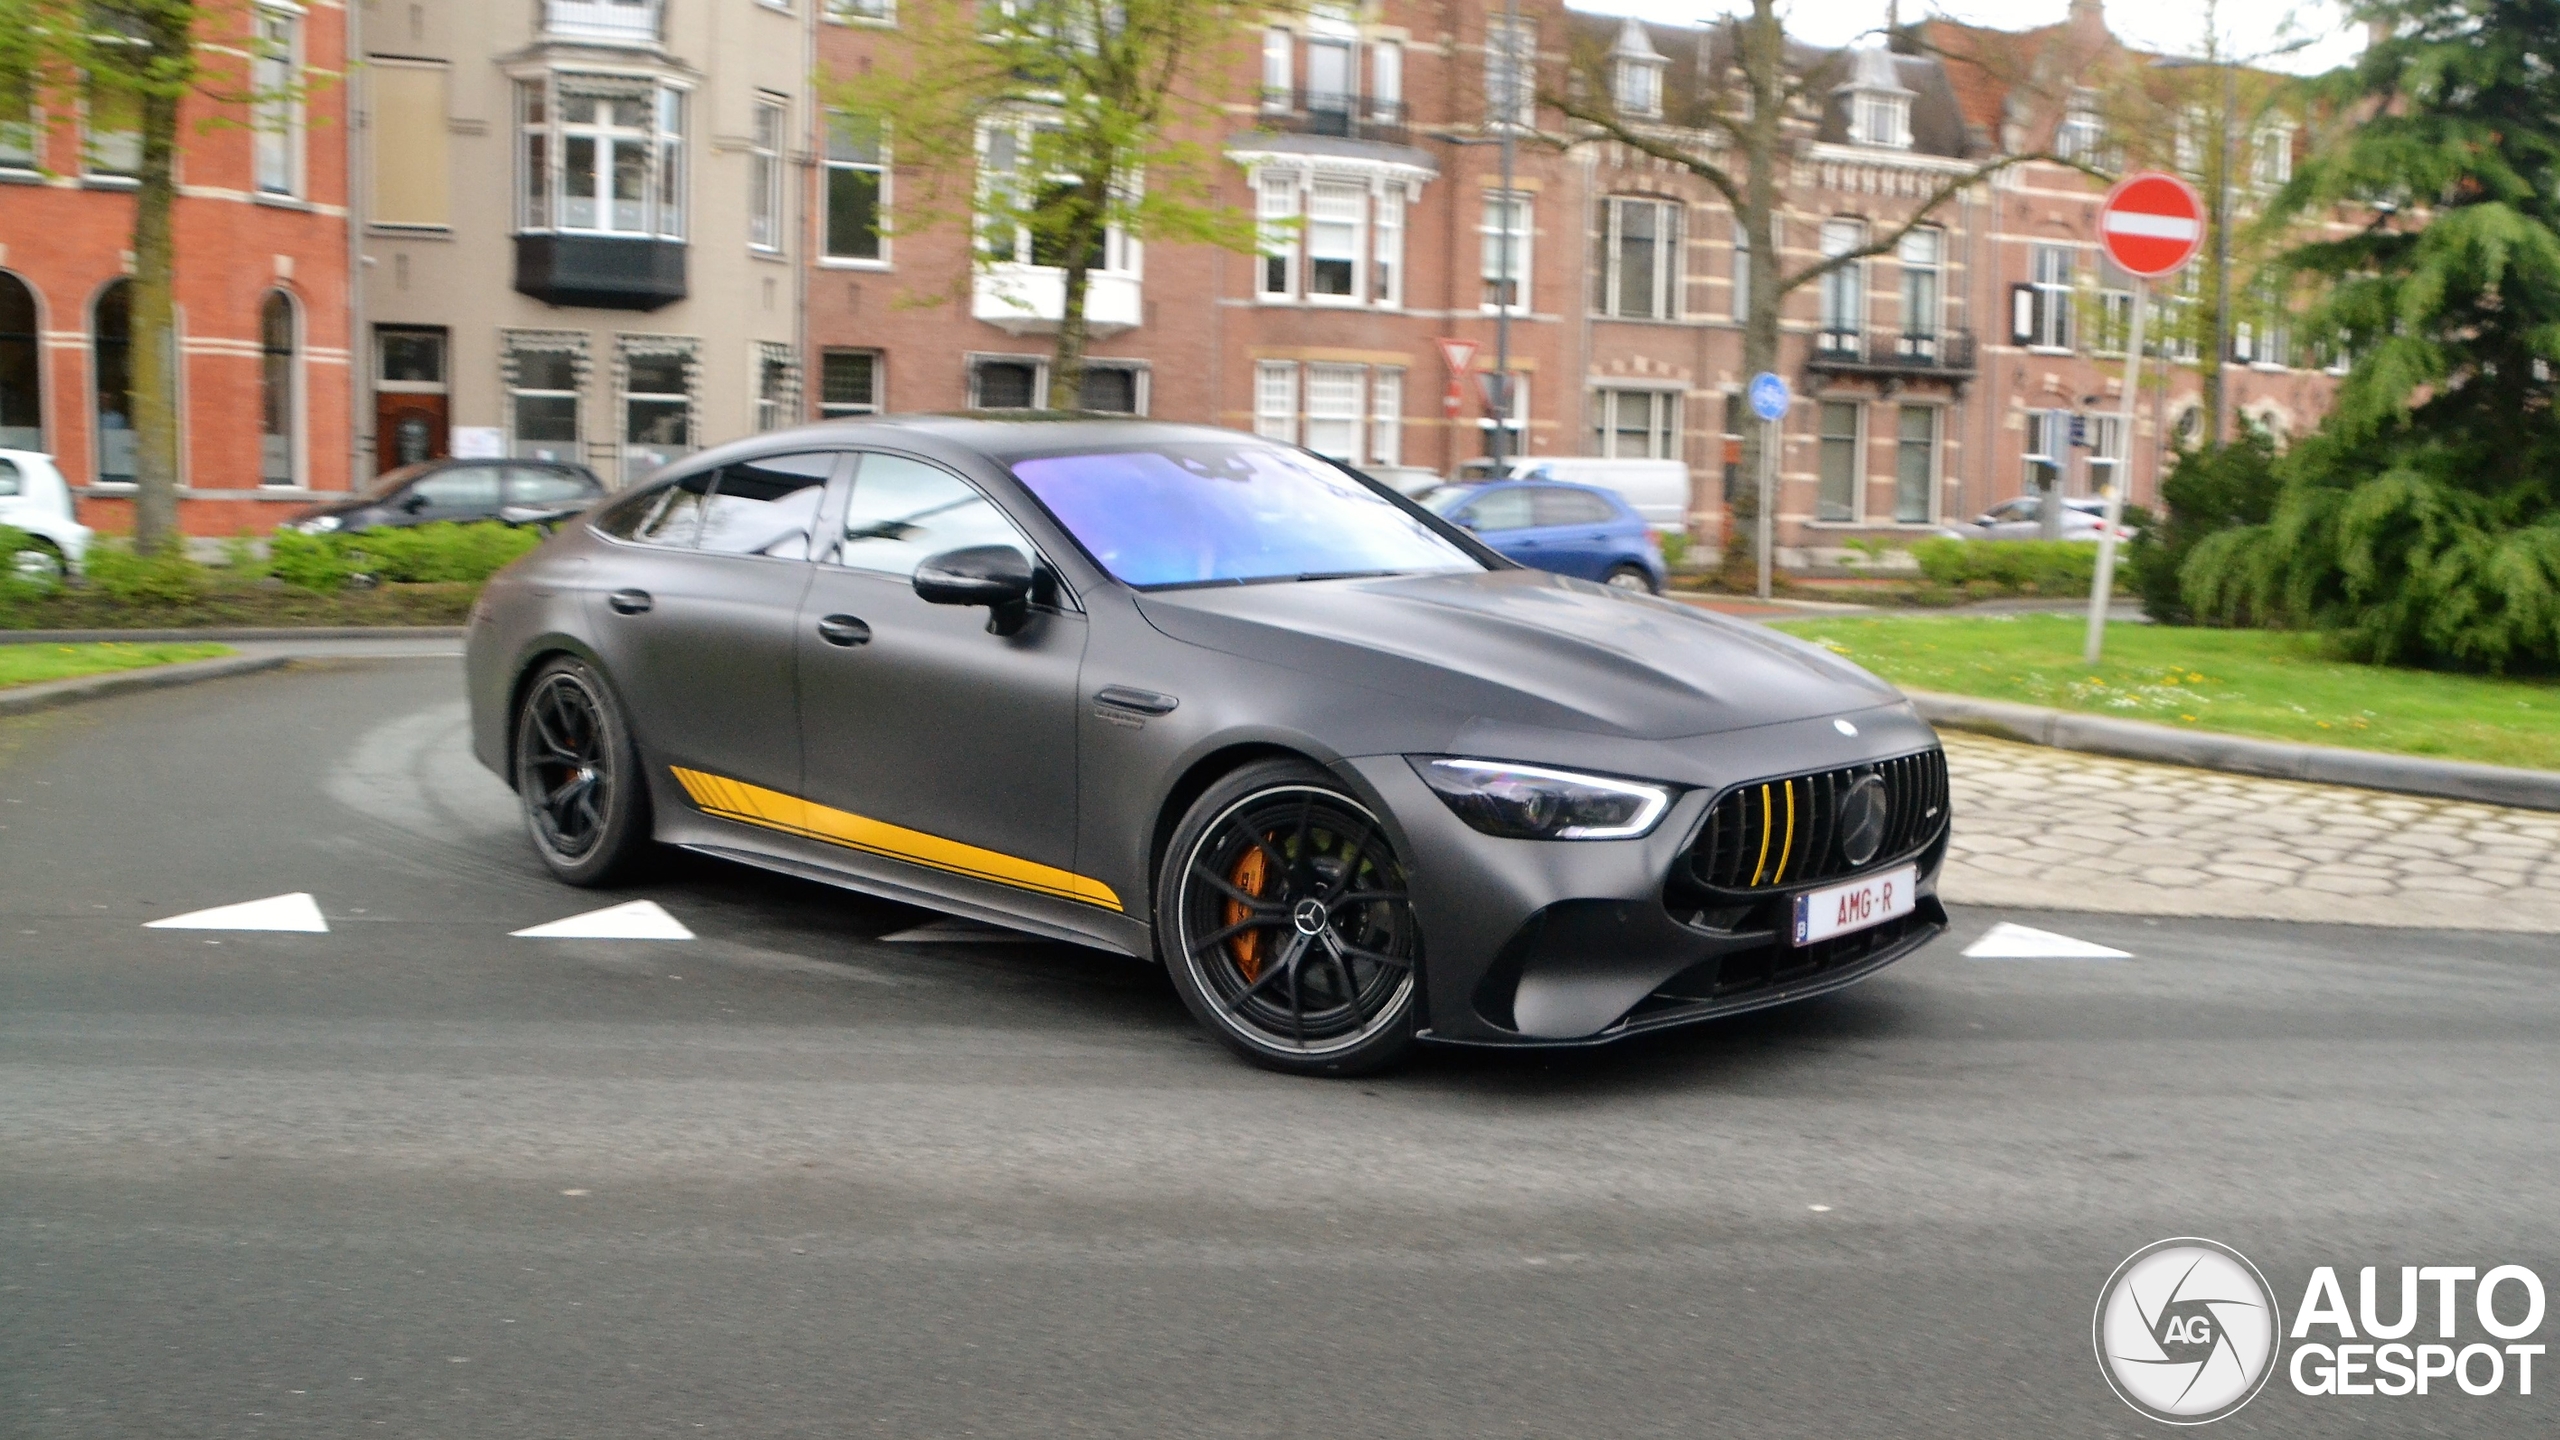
1788	831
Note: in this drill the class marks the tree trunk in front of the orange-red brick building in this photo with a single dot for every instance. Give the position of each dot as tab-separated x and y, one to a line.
155	332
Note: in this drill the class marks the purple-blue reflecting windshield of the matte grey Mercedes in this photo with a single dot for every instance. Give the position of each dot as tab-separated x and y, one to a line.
1228	514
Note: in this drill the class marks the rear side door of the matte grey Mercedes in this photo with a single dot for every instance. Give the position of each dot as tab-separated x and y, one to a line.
698	616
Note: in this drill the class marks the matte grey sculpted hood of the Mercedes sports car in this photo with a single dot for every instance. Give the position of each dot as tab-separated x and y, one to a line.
1530	650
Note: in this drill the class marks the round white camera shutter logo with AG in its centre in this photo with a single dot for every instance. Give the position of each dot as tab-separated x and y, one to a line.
2188	1331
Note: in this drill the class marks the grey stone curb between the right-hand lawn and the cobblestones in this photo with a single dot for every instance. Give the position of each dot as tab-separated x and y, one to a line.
2236	755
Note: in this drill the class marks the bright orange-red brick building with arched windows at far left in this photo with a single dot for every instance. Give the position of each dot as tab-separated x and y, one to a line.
262	286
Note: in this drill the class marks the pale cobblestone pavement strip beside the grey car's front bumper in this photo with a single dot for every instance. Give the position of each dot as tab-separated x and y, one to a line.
2070	831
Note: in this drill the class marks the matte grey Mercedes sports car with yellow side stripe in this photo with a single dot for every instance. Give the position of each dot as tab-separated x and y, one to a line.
1210	701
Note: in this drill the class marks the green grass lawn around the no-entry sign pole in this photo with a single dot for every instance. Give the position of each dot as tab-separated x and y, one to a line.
2244	683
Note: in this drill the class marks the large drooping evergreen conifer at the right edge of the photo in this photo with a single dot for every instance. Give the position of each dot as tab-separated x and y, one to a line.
2423	521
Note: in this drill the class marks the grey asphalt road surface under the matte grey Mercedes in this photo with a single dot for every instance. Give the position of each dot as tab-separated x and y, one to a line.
416	1177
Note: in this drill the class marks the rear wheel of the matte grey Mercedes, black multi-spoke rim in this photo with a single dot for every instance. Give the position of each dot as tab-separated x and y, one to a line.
577	775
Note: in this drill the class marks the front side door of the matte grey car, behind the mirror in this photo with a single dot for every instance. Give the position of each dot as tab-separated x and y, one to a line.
933	739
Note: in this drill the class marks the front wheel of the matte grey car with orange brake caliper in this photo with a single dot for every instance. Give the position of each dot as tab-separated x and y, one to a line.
1284	921
